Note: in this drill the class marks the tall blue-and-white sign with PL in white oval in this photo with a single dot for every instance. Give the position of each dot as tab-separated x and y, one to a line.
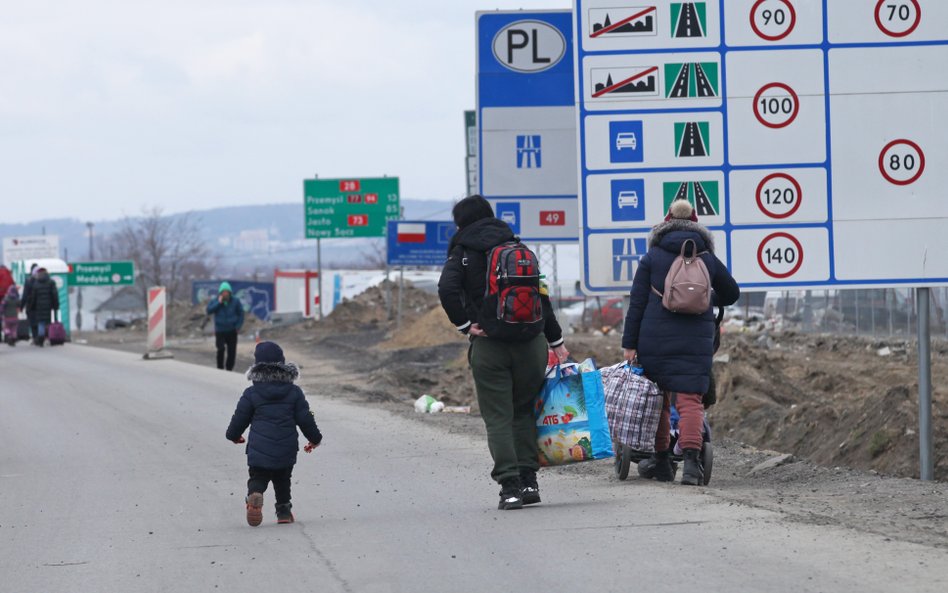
526	113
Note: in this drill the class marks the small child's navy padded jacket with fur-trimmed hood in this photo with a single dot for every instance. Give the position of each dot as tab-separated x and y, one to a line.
273	407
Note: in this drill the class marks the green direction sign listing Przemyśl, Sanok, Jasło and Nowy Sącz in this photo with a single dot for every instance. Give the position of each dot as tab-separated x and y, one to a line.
340	208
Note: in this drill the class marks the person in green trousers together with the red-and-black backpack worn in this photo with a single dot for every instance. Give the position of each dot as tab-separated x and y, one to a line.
490	289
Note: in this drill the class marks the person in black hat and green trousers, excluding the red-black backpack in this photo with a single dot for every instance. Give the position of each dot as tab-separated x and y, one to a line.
508	375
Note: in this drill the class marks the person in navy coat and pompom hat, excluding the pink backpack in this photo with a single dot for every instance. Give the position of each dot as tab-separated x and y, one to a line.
675	349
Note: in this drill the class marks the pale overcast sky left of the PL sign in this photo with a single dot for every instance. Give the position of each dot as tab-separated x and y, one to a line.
110	105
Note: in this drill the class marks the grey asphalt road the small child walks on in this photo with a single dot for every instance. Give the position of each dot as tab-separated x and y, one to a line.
116	477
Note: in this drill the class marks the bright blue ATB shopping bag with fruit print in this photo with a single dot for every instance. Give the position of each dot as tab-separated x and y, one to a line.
571	417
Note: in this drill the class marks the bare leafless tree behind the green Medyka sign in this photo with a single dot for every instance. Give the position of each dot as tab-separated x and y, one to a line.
168	251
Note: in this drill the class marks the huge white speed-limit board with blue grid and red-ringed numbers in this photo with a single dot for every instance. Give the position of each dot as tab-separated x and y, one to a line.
807	133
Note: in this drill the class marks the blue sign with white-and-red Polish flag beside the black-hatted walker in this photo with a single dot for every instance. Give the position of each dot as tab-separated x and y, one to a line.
418	242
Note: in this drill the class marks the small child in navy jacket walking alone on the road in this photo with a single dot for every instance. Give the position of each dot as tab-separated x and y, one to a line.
272	407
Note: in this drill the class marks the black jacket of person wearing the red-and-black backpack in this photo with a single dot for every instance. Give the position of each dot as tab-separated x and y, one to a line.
463	280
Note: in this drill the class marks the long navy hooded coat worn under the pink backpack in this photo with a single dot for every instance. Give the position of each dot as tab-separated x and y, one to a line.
675	349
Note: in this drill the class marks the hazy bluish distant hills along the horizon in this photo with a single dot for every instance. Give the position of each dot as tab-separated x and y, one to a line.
244	239
